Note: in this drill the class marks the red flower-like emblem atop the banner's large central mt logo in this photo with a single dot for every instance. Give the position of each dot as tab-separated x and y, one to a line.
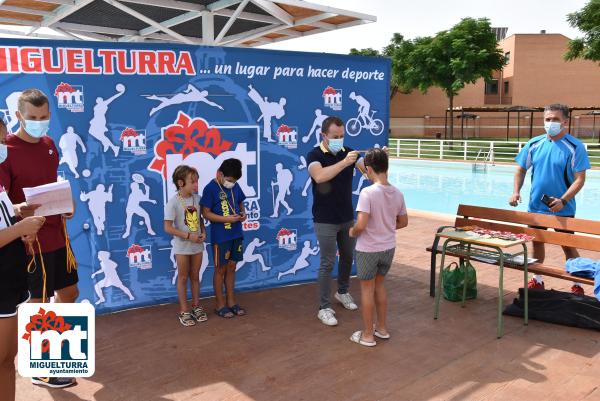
186	136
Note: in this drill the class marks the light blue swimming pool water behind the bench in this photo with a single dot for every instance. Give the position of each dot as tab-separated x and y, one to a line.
442	186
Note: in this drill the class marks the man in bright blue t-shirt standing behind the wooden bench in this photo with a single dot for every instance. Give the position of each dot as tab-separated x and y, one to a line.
558	163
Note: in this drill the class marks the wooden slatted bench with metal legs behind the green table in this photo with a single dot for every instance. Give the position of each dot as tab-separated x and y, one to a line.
586	236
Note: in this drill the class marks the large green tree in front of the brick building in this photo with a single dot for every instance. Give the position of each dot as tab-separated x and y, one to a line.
449	60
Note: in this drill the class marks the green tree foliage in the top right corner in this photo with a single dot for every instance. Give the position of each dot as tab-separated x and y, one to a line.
587	20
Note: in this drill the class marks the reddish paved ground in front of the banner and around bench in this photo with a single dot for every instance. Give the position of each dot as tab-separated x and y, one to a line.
280	351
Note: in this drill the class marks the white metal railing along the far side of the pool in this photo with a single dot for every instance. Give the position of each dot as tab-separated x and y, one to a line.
467	150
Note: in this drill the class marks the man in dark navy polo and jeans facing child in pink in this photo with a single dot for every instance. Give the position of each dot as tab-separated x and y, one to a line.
331	167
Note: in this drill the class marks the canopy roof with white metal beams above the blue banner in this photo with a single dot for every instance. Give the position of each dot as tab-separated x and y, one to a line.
208	22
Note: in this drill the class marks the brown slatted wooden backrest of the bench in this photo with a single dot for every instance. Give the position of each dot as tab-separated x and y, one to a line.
587	232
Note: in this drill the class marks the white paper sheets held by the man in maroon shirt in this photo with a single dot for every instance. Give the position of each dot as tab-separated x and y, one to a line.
55	198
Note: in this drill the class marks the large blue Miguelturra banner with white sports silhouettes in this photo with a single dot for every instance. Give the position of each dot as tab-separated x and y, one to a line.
124	116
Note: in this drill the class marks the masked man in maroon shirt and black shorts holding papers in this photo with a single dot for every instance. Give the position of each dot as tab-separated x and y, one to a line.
33	160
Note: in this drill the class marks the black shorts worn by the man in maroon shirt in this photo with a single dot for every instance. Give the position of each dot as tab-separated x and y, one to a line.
57	276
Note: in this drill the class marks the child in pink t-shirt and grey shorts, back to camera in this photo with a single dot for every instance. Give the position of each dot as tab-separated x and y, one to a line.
381	211
